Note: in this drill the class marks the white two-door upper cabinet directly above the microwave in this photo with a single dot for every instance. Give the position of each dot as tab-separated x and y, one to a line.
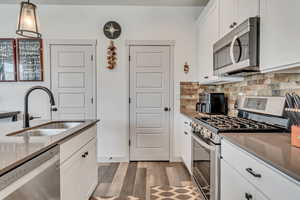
234	12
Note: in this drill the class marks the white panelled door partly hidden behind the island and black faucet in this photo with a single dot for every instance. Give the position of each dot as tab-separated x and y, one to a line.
72	81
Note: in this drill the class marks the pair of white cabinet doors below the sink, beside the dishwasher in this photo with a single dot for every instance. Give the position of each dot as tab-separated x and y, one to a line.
79	174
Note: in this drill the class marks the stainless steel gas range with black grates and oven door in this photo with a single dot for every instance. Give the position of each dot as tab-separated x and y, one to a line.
256	114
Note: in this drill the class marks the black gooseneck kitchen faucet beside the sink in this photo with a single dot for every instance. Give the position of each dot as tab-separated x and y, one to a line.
26	114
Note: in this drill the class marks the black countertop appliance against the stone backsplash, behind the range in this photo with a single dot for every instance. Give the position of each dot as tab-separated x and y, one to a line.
212	103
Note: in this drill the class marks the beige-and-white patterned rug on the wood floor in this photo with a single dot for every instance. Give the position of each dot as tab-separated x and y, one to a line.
174	193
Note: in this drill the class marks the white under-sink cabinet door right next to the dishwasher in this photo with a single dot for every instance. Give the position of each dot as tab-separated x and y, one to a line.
70	175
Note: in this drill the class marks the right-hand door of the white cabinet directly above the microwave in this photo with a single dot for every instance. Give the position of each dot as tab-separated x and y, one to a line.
247	9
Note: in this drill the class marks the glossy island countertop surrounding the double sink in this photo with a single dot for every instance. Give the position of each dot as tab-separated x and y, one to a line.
16	150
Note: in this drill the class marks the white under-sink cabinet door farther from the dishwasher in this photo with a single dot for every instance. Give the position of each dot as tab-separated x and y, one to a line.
89	169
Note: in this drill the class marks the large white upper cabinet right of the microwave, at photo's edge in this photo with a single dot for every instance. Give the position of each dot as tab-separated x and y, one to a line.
280	44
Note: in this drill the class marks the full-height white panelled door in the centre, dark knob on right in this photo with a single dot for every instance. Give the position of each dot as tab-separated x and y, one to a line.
150	102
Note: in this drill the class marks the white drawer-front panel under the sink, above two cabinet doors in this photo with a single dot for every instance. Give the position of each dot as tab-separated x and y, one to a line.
68	148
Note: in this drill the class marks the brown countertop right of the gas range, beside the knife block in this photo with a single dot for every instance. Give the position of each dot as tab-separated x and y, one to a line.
273	148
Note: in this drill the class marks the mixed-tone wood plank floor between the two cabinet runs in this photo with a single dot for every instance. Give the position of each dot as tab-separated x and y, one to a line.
136	178
